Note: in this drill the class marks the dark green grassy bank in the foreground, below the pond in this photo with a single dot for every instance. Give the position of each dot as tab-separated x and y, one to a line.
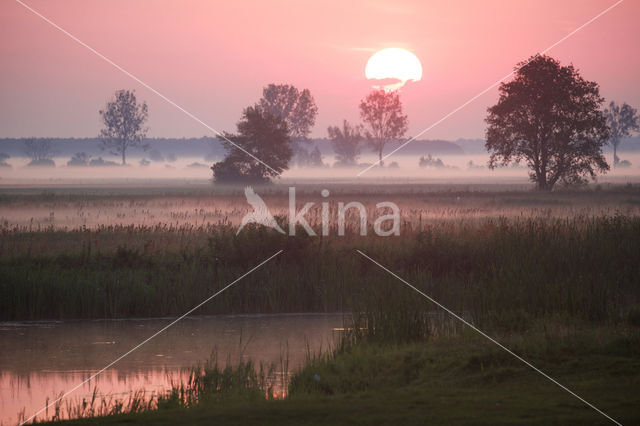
448	380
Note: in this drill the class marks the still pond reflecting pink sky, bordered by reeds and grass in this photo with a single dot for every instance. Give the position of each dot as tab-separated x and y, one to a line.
41	360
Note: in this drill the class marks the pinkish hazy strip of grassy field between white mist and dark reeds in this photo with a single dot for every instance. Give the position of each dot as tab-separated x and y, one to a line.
67	208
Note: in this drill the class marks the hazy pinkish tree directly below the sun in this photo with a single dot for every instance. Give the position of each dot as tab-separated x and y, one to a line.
382	113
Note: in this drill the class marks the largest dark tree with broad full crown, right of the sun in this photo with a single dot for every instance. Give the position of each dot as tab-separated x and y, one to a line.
549	117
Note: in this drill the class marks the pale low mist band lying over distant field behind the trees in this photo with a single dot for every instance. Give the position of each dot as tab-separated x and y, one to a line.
194	166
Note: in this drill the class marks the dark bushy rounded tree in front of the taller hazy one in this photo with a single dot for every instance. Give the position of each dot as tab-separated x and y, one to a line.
264	135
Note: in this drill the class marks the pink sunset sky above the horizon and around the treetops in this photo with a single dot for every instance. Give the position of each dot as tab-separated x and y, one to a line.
213	58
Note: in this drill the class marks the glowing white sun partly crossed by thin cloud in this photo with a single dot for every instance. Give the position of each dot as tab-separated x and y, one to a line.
393	67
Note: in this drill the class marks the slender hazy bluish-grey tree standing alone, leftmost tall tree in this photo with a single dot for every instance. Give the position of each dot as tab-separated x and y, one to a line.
124	120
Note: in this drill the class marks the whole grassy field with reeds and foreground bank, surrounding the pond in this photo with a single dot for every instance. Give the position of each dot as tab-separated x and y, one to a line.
553	276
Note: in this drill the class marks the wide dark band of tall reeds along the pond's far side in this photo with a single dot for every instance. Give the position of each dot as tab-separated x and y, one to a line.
504	272
